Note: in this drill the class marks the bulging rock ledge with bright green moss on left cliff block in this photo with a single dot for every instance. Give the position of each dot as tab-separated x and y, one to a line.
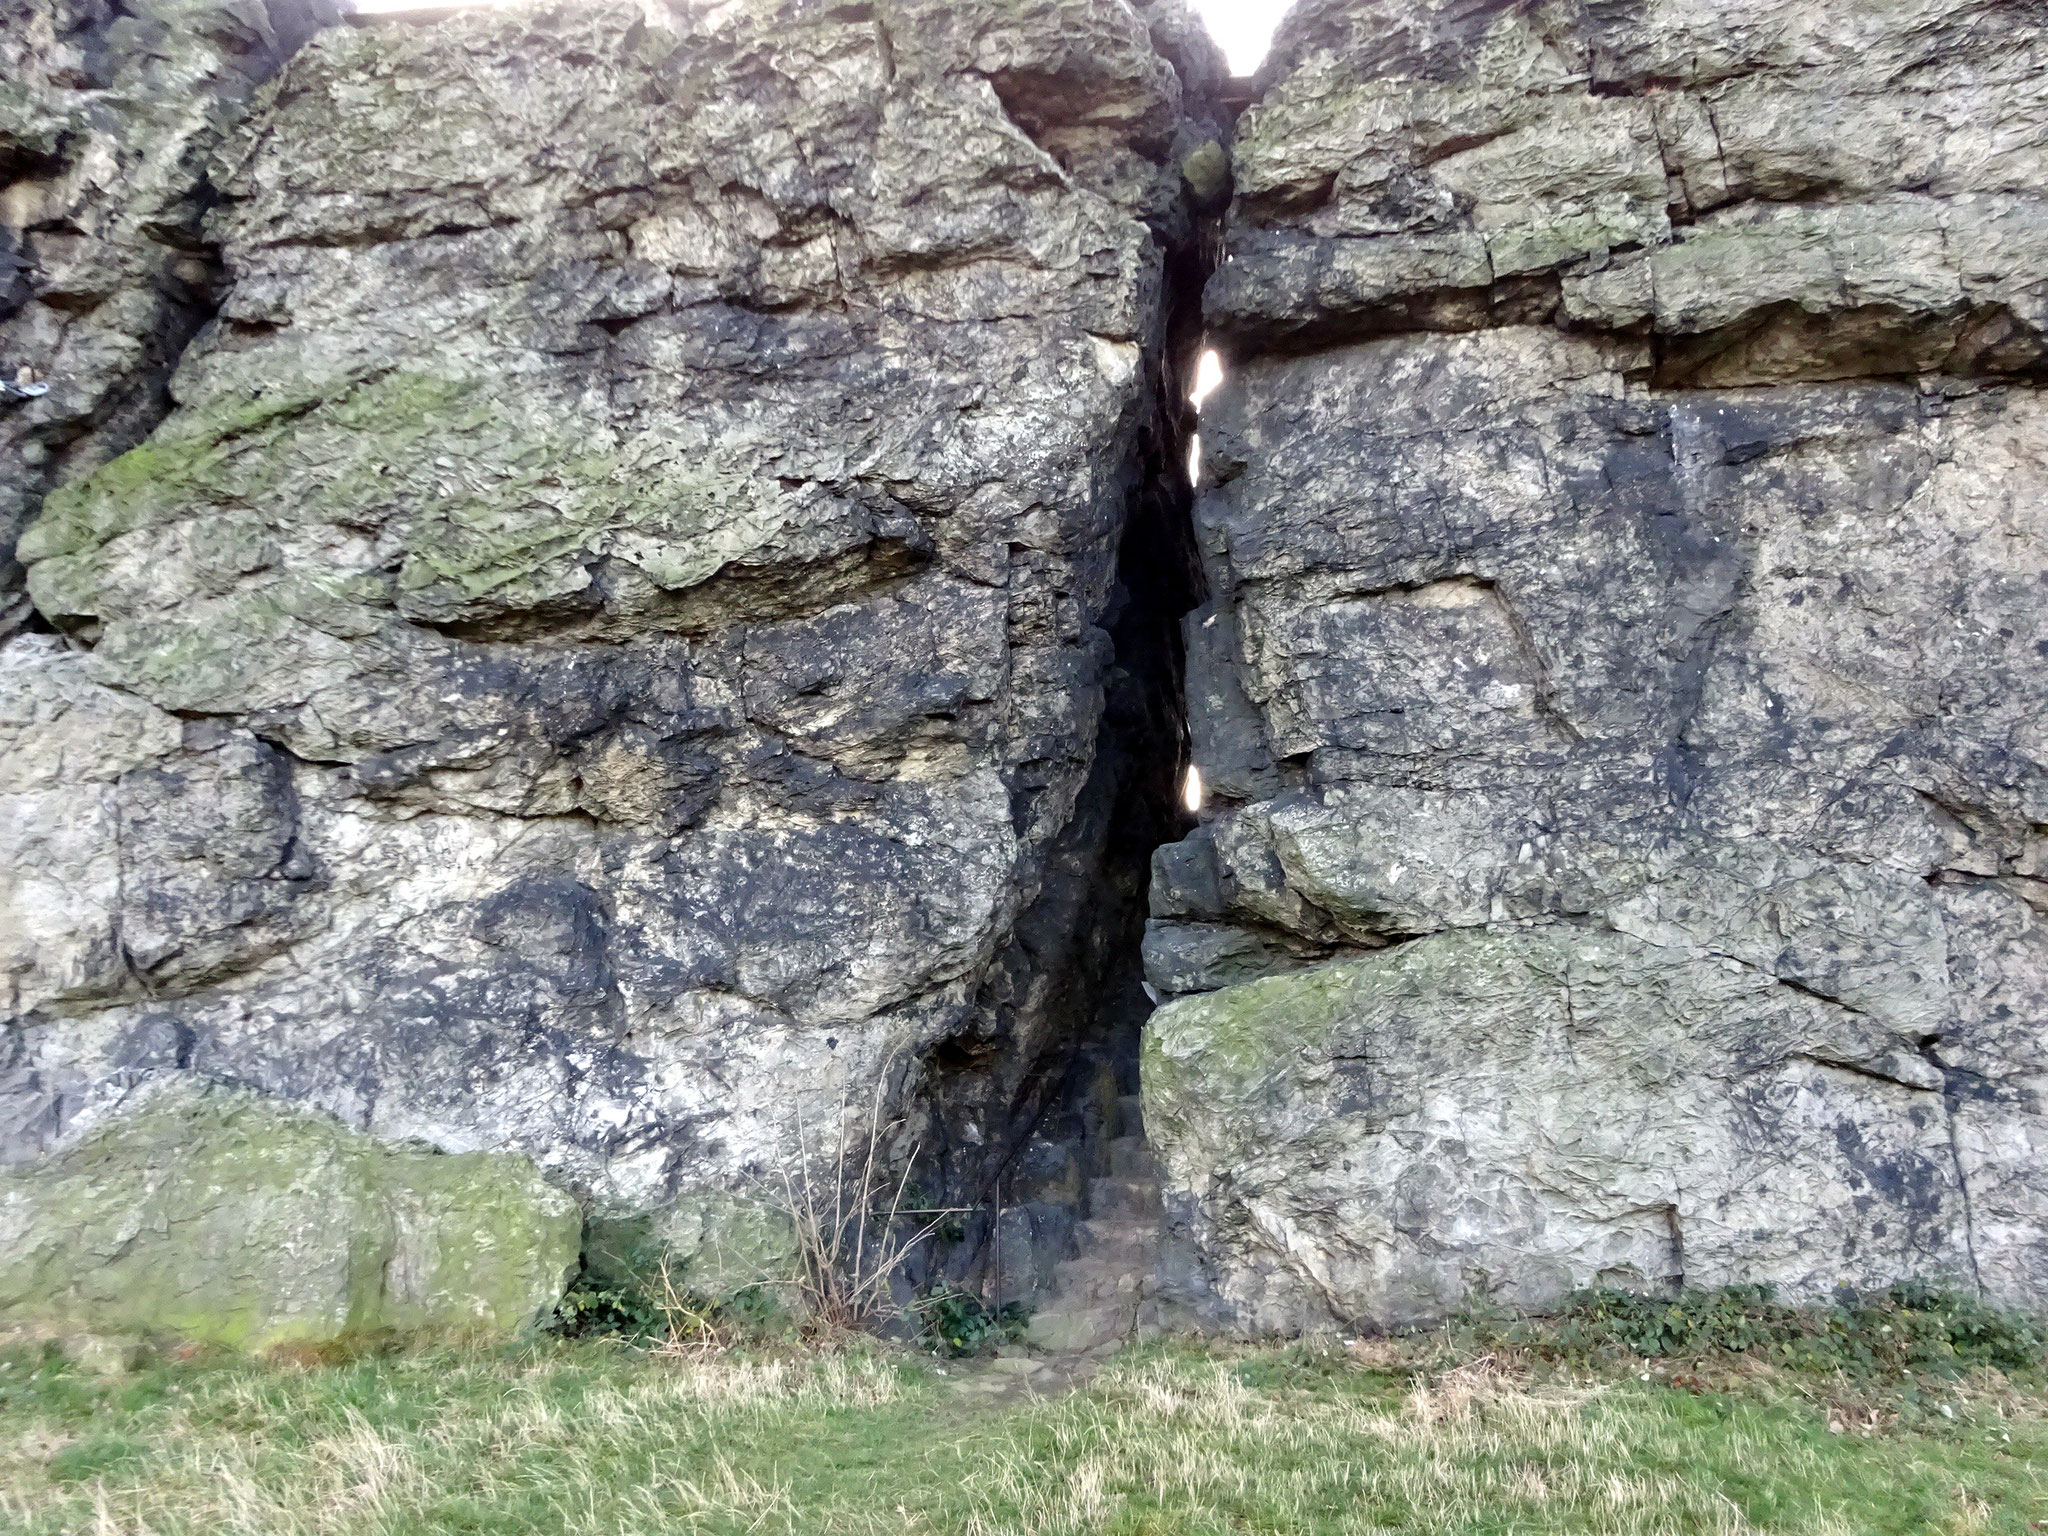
495	503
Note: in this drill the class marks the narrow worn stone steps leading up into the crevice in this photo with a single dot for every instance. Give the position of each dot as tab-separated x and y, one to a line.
1101	1295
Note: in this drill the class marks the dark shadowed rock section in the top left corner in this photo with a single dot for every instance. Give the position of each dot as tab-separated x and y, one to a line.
110	112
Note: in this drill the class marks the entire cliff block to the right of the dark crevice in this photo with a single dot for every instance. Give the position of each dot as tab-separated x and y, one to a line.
1623	683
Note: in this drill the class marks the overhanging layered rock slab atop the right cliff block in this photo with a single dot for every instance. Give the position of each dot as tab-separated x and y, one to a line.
1775	191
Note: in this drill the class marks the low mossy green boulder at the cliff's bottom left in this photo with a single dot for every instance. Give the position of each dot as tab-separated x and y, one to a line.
230	1218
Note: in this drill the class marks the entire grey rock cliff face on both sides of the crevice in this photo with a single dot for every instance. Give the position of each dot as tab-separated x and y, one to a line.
605	587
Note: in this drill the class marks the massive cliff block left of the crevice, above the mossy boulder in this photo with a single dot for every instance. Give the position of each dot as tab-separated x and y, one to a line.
620	650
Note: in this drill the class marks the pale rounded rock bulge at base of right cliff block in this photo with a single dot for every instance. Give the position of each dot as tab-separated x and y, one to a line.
1547	1109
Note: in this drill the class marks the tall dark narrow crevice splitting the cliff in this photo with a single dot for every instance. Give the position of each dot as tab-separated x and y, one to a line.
1023	1105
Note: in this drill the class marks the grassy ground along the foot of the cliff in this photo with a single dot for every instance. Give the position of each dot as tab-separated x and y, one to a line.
1185	1441
